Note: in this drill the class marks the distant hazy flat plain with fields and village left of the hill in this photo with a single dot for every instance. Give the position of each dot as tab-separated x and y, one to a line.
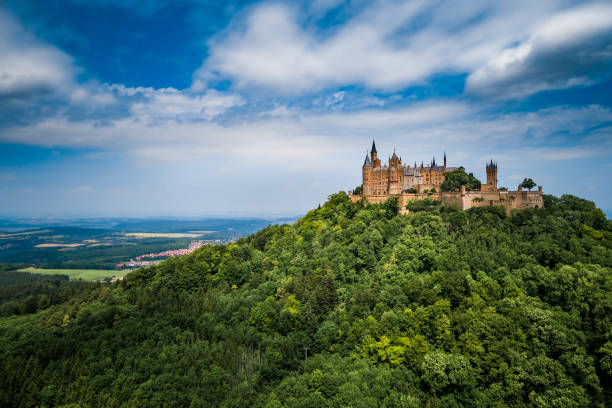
104	243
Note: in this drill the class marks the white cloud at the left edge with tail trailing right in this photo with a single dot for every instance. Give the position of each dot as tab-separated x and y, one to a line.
30	68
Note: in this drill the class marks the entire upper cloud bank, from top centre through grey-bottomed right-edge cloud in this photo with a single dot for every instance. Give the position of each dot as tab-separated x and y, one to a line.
391	45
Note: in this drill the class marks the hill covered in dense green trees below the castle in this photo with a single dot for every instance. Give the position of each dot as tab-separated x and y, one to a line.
439	308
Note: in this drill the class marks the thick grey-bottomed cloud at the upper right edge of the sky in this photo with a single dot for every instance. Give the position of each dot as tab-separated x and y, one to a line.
571	48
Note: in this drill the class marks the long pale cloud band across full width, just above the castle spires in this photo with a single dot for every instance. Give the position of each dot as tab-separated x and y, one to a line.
302	140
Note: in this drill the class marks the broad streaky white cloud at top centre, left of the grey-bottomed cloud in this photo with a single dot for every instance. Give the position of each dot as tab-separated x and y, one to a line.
387	46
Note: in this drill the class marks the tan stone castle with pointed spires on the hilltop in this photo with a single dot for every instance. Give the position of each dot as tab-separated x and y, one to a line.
395	179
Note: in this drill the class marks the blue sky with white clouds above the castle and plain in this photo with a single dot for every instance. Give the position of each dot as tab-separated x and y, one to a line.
132	108
